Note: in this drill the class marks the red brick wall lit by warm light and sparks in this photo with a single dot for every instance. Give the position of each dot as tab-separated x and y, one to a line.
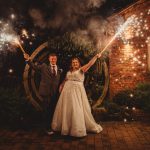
128	62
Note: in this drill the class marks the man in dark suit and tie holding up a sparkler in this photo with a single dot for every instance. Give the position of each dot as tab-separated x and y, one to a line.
49	85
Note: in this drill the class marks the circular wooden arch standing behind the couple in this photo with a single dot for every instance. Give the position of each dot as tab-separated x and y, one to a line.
30	86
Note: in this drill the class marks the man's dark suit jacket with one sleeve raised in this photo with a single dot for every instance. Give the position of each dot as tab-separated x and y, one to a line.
49	83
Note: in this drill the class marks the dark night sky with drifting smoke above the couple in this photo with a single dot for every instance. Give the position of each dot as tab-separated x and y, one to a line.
47	18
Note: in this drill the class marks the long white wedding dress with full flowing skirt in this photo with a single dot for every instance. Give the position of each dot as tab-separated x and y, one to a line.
72	115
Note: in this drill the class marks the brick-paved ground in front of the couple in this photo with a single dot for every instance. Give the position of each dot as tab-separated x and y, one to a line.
115	136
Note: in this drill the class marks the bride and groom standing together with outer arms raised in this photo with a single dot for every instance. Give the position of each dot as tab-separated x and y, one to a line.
71	114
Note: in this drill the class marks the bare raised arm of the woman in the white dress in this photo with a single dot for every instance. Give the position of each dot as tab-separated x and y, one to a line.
87	66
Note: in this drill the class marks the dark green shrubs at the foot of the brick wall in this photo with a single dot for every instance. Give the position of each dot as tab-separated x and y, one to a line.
138	97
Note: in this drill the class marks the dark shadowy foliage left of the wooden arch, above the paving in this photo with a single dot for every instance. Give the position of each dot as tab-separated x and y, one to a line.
15	111
